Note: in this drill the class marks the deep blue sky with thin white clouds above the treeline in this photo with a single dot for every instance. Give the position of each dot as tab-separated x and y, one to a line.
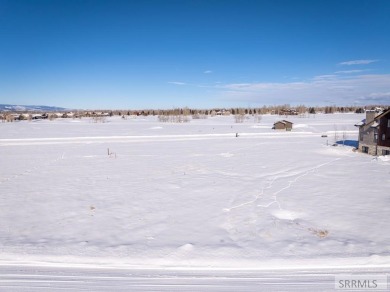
164	54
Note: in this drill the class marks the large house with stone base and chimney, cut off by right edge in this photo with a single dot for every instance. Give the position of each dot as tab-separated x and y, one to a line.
374	133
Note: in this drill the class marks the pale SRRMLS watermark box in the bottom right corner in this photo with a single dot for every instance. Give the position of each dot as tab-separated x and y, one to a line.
361	282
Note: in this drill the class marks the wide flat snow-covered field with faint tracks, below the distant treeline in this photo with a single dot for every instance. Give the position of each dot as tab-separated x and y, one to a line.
191	196
